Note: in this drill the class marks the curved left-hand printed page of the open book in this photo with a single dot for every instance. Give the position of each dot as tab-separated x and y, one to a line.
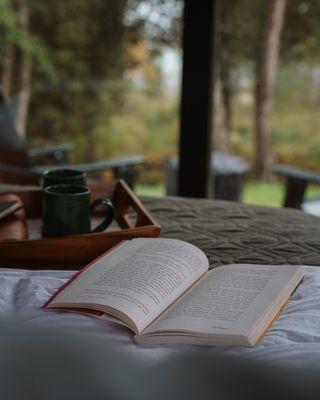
140	278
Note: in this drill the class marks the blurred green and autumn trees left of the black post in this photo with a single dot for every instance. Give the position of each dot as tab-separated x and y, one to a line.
75	67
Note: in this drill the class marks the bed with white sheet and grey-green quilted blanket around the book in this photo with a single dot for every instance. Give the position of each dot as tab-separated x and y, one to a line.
228	233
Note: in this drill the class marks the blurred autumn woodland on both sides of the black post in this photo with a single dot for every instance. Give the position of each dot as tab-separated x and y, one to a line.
105	76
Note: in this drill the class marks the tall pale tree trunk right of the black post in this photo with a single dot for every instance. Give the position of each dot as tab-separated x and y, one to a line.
265	81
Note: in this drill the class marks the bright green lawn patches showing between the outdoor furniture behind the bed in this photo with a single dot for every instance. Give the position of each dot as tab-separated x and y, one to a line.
267	194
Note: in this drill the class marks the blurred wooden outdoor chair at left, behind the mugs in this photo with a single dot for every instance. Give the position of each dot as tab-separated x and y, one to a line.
20	165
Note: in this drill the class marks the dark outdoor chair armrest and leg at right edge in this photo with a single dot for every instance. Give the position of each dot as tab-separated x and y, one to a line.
297	181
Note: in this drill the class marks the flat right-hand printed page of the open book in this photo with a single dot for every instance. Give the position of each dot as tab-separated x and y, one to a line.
228	300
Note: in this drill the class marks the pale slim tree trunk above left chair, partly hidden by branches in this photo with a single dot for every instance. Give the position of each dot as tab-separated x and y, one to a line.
24	95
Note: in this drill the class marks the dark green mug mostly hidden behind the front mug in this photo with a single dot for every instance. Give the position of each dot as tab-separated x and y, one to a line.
63	176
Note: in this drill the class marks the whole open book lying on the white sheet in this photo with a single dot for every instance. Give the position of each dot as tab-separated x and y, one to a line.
162	290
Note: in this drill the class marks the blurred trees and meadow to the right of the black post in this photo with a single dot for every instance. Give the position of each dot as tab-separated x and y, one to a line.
245	29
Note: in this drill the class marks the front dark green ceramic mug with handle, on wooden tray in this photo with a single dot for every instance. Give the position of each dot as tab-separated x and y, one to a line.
67	211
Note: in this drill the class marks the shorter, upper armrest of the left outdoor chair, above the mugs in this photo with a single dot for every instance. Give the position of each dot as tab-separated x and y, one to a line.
57	154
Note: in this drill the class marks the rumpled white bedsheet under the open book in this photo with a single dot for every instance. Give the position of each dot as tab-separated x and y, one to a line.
293	338
